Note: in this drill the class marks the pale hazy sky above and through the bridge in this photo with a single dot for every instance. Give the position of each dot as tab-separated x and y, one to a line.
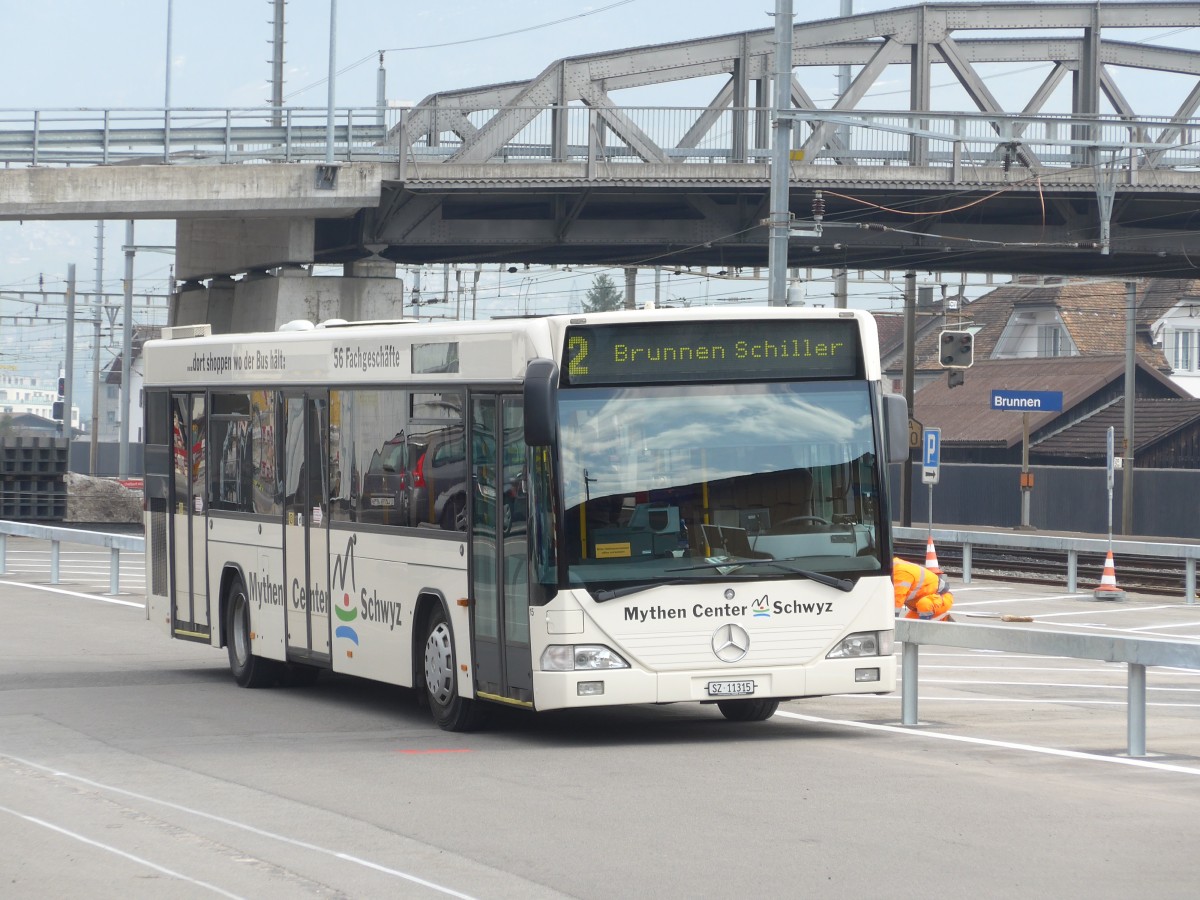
113	55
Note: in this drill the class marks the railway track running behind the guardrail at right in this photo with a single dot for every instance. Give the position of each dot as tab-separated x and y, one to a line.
1135	574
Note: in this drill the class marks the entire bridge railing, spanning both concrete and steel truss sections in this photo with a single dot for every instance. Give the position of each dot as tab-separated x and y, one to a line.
961	143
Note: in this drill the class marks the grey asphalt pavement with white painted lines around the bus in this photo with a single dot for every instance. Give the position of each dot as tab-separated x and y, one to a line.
131	766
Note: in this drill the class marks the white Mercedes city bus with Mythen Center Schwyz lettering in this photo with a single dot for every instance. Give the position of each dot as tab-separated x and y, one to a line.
565	512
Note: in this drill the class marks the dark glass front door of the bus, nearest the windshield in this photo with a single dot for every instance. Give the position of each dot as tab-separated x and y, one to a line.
500	573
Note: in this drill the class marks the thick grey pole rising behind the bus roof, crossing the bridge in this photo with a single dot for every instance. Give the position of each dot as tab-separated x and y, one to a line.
781	160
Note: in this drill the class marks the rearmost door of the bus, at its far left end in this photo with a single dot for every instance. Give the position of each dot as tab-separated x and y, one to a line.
190	607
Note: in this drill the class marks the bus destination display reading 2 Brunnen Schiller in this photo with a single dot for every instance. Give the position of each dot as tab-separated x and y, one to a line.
715	351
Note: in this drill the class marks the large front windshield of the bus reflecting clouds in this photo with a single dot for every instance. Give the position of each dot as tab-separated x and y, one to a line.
705	482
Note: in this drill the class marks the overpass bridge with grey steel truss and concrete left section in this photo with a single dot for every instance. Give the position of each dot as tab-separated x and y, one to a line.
568	167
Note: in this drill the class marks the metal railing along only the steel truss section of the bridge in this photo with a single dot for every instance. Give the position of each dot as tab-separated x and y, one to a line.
962	142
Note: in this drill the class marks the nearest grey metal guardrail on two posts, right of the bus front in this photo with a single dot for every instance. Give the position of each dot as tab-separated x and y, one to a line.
1136	652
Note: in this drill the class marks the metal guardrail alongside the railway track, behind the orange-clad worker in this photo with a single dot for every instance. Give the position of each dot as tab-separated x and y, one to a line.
1071	547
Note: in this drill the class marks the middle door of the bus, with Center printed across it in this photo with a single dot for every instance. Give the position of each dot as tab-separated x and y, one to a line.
307	527
